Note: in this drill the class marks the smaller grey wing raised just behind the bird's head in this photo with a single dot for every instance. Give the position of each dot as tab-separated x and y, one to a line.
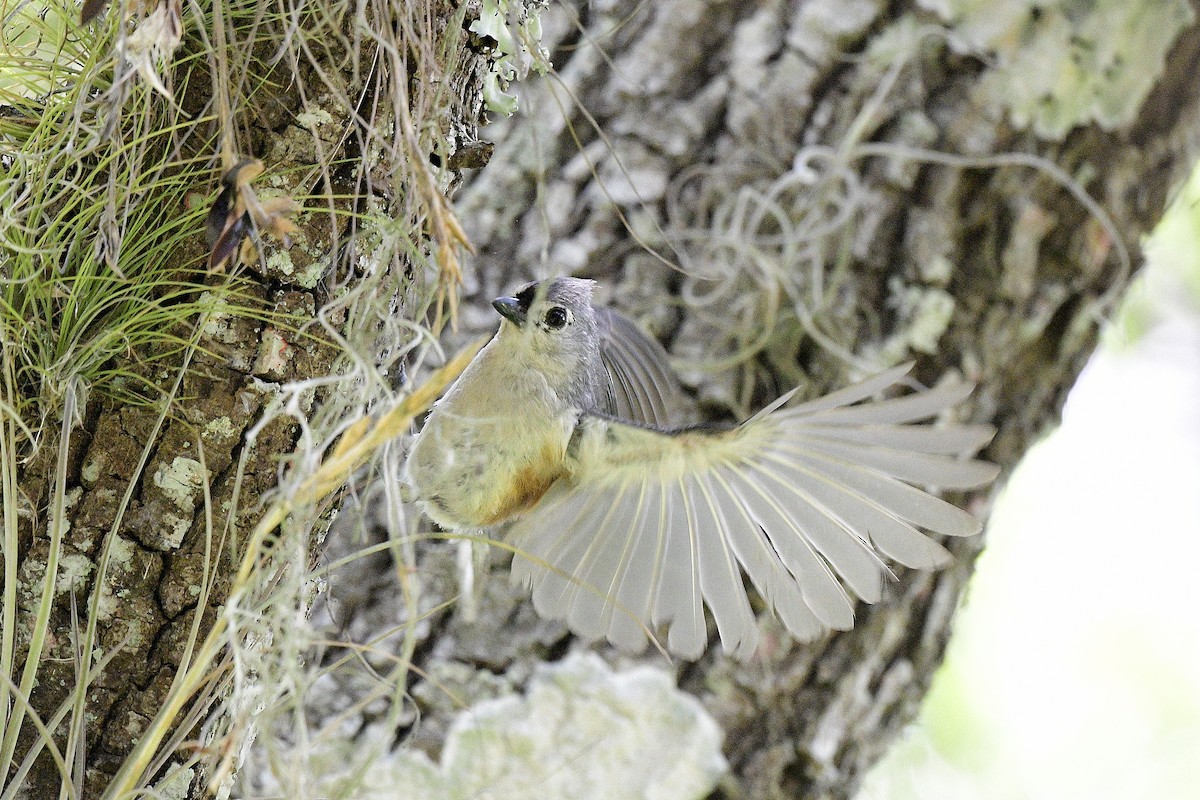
645	388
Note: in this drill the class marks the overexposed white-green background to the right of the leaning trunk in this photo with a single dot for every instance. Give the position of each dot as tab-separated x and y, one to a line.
1075	671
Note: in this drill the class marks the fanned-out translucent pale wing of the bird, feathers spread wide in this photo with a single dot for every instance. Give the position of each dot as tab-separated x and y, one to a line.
652	526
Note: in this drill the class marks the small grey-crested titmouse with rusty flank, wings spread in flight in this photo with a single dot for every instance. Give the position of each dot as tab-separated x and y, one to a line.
625	524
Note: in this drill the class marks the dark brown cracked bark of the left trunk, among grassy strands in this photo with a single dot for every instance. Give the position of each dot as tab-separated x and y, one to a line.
207	455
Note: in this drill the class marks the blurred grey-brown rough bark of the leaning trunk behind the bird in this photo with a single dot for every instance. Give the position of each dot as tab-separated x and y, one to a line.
950	137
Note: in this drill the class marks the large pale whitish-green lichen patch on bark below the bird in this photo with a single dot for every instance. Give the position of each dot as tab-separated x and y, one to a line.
583	731
